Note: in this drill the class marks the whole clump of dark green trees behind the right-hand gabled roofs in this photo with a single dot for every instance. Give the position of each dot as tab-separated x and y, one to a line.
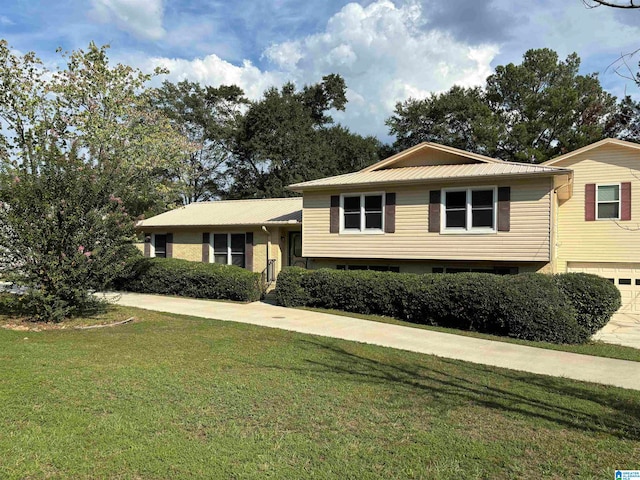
528	112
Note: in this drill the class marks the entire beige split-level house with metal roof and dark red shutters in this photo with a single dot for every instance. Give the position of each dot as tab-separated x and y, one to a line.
433	209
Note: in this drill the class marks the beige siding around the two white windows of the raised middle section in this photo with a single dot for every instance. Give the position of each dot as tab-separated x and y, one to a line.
528	240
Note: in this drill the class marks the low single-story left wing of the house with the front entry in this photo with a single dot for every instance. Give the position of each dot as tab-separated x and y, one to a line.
259	235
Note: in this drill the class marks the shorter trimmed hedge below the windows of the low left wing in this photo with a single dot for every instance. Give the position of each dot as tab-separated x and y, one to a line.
172	276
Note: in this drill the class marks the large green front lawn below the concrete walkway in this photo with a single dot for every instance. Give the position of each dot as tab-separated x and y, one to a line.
180	397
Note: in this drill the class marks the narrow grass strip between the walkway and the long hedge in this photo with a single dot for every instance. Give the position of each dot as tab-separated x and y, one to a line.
595	348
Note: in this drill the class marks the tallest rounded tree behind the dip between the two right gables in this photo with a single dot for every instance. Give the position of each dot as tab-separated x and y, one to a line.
546	107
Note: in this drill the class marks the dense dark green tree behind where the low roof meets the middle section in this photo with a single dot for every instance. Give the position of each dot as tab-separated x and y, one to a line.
288	136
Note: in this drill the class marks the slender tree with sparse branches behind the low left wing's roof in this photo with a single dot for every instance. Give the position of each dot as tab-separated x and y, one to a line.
207	116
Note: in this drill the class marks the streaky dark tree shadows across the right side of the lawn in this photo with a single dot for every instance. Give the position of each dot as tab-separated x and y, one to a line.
449	384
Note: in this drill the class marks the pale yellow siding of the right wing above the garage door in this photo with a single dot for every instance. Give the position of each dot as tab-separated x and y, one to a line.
600	240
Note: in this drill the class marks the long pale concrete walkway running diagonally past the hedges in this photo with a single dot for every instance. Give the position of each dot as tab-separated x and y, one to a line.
588	368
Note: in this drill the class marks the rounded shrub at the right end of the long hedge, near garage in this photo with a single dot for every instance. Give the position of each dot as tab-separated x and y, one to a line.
594	298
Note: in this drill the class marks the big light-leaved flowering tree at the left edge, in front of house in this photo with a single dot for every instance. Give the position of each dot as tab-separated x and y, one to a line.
81	154
